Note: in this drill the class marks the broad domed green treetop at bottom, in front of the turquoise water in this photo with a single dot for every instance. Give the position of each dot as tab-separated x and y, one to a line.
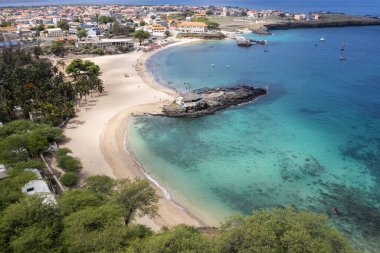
281	230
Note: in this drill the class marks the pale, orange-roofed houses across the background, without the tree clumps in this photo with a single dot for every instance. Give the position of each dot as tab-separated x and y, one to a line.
44	23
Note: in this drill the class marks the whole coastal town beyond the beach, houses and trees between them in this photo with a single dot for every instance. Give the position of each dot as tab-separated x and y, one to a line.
109	29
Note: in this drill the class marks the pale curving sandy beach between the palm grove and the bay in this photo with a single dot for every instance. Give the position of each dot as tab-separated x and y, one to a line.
97	134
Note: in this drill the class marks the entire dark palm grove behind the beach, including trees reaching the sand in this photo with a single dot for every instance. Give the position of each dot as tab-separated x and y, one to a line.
32	87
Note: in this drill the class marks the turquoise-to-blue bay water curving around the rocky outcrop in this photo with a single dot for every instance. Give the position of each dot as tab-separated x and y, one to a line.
313	142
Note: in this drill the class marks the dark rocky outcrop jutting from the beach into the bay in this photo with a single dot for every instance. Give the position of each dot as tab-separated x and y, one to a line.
207	101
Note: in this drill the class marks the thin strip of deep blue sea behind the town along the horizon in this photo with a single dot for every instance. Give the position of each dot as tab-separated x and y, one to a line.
361	7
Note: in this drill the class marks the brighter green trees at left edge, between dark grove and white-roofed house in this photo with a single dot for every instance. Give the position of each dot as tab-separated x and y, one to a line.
18	145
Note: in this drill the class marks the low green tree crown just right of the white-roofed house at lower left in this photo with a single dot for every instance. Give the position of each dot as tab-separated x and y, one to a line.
78	199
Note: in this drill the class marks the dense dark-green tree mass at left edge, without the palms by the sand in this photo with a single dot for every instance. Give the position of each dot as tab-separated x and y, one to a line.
30	85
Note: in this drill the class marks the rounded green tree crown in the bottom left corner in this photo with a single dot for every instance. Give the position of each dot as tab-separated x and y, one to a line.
30	225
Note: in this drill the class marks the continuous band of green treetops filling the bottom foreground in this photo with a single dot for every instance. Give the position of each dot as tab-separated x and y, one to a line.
98	218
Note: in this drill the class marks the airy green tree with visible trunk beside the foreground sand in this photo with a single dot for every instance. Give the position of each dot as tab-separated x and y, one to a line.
137	198
